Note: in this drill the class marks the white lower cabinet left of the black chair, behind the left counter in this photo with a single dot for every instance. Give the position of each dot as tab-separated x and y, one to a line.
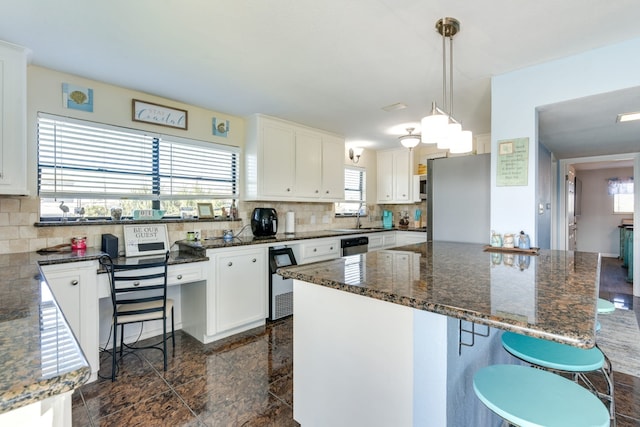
74	286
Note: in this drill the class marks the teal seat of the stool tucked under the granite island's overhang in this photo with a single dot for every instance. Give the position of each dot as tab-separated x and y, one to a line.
551	354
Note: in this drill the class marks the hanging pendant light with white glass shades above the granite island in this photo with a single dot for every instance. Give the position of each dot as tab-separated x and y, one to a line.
440	127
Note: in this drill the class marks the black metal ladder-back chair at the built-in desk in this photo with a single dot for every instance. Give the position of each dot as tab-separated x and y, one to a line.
139	294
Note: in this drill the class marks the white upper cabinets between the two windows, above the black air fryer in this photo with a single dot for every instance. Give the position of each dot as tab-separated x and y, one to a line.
291	162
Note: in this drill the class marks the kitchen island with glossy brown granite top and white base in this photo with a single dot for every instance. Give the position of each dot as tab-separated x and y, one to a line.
394	337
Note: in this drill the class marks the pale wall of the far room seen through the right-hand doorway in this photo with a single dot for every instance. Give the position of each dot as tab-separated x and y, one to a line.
598	225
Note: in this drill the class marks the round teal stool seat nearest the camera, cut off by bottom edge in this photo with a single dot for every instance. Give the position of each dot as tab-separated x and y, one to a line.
532	397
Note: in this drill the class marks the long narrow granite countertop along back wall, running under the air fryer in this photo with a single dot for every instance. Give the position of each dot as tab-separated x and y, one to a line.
218	242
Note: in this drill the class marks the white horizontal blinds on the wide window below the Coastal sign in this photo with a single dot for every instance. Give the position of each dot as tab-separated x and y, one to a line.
89	160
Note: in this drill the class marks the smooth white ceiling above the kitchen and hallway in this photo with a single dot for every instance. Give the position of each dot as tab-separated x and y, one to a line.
330	64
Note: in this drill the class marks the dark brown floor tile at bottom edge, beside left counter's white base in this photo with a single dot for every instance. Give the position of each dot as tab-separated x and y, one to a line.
165	409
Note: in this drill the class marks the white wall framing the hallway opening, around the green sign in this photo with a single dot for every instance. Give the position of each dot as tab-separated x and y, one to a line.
515	97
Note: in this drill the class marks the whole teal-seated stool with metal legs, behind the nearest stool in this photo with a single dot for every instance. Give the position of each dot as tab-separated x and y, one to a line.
564	358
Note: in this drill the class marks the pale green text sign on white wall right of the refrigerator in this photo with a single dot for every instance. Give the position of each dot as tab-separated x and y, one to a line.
513	162
